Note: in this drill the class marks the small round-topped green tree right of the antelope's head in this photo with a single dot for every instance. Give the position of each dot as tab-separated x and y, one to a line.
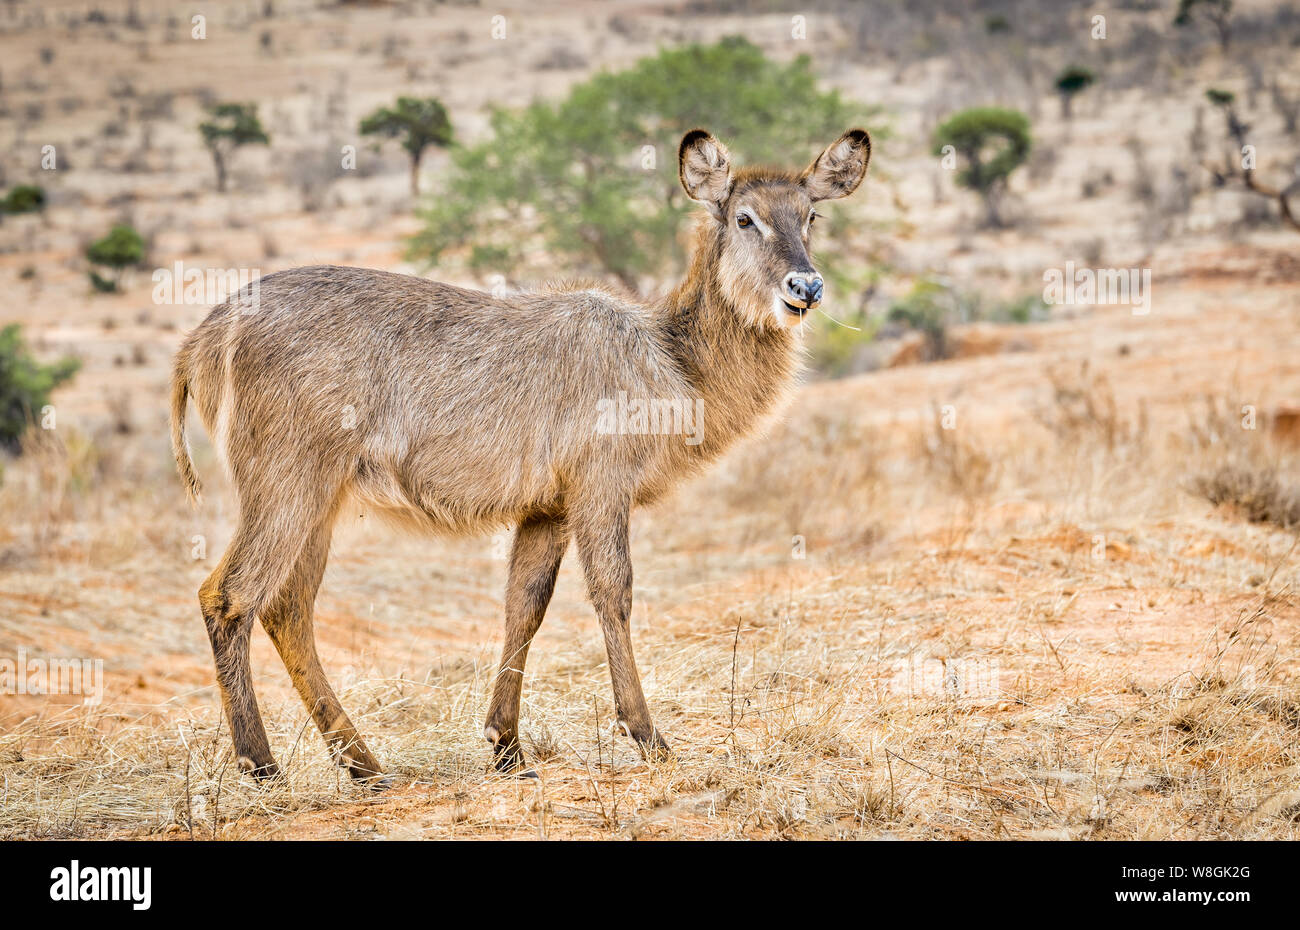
994	142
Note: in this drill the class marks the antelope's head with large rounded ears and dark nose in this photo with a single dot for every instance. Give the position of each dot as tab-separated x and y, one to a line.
766	222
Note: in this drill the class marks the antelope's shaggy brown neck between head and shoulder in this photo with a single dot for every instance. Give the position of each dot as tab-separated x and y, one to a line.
739	373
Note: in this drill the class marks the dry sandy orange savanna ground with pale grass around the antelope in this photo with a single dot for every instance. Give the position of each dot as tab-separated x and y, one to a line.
1071	615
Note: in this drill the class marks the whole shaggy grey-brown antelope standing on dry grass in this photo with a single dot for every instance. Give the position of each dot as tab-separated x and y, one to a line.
457	413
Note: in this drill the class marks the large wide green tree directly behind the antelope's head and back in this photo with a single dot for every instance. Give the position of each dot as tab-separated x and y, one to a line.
593	178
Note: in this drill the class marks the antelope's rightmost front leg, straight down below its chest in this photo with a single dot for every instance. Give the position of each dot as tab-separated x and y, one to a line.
603	544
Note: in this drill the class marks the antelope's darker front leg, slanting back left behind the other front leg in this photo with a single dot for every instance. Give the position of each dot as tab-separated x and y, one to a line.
535	561
